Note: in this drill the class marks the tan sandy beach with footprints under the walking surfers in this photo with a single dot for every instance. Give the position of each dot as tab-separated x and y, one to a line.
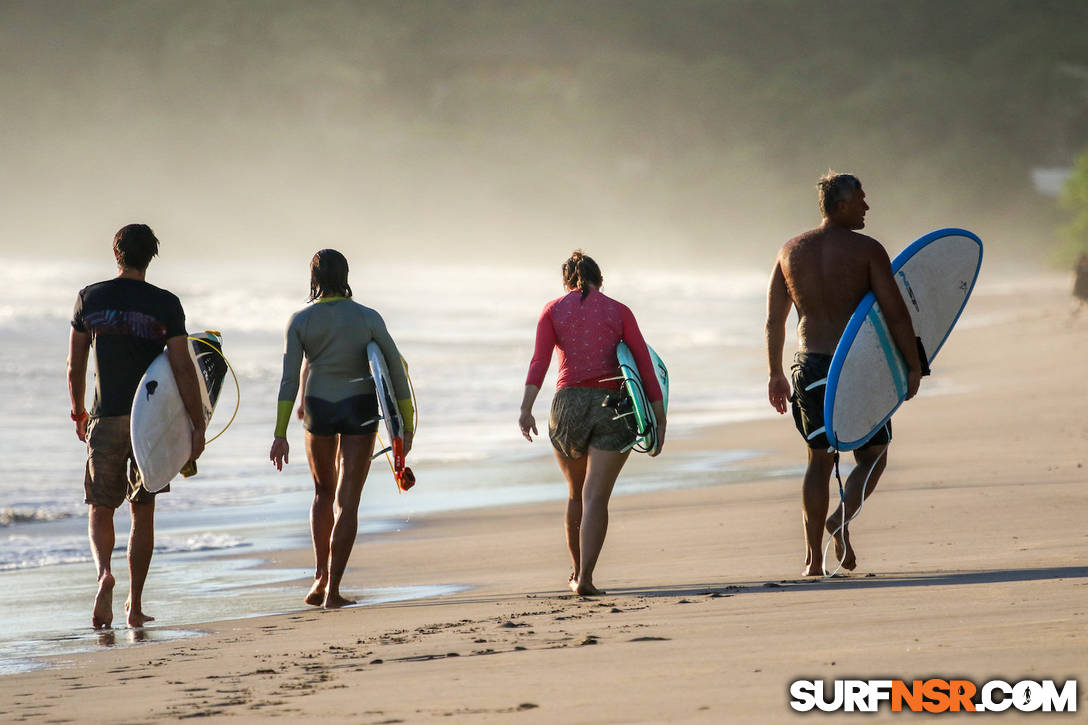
973	563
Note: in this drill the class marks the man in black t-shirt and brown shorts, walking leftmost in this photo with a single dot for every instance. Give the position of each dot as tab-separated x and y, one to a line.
127	323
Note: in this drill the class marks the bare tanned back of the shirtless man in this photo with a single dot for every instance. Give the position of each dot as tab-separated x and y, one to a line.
827	273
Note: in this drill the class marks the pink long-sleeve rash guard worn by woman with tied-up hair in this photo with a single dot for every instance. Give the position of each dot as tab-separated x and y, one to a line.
587	333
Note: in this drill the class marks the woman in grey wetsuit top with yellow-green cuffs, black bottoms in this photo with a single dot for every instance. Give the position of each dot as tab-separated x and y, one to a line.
340	412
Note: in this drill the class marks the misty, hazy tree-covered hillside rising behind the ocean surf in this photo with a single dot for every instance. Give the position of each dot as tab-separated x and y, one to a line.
698	127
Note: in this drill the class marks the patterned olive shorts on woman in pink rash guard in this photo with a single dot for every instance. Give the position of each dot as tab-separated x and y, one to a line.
582	419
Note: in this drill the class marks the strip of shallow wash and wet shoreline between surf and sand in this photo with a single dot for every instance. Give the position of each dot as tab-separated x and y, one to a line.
192	588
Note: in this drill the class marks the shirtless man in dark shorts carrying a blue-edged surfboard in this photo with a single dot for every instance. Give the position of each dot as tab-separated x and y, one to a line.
826	273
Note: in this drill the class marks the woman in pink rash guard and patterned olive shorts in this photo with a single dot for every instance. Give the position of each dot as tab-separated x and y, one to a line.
590	445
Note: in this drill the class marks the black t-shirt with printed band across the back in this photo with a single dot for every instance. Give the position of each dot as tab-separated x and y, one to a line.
130	323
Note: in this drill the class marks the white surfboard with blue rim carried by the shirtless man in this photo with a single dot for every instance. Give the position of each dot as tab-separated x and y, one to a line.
868	378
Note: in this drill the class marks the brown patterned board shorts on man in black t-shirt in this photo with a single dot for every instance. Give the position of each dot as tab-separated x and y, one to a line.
112	475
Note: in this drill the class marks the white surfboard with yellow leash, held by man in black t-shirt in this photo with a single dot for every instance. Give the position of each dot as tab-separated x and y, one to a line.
162	432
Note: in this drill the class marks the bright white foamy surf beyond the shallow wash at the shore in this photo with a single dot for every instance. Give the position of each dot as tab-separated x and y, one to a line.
467	336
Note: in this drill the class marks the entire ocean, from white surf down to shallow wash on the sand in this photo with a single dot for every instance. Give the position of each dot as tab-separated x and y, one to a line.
467	335
